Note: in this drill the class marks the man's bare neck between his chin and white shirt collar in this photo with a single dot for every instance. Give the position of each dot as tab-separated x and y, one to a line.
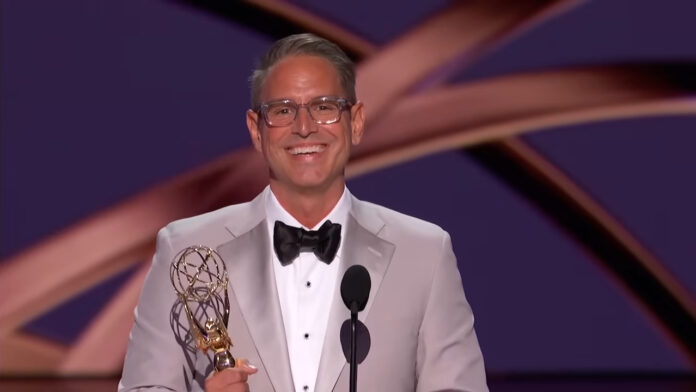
307	206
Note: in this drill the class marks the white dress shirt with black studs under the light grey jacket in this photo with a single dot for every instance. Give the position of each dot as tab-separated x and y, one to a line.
305	288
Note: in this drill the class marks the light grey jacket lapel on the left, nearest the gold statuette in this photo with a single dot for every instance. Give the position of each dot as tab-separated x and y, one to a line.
253	283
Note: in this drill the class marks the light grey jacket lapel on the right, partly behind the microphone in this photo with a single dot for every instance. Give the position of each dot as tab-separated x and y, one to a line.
361	245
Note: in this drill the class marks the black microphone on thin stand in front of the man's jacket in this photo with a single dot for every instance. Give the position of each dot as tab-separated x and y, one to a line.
355	290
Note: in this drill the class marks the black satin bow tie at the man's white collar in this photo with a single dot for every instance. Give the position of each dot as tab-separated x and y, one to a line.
289	241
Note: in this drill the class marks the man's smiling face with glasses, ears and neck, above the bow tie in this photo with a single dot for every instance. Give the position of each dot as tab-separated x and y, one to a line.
304	125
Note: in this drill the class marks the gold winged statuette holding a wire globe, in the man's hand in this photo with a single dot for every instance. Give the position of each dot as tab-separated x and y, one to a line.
199	275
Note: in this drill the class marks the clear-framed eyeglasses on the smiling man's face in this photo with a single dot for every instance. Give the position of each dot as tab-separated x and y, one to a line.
322	110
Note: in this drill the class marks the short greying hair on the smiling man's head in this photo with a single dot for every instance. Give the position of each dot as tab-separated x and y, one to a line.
304	44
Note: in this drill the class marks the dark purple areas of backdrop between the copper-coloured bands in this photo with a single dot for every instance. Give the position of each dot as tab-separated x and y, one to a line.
101	100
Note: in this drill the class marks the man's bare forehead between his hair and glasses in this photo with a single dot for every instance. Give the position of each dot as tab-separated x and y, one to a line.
301	78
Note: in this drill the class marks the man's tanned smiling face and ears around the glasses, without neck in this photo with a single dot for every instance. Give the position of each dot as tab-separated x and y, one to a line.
305	156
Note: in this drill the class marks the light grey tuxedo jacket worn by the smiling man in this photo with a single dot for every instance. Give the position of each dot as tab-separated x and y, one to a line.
420	326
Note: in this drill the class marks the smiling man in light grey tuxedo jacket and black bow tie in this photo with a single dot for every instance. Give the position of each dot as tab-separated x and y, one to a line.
286	310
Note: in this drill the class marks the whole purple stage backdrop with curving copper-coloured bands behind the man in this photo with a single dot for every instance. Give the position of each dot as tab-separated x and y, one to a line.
554	140
